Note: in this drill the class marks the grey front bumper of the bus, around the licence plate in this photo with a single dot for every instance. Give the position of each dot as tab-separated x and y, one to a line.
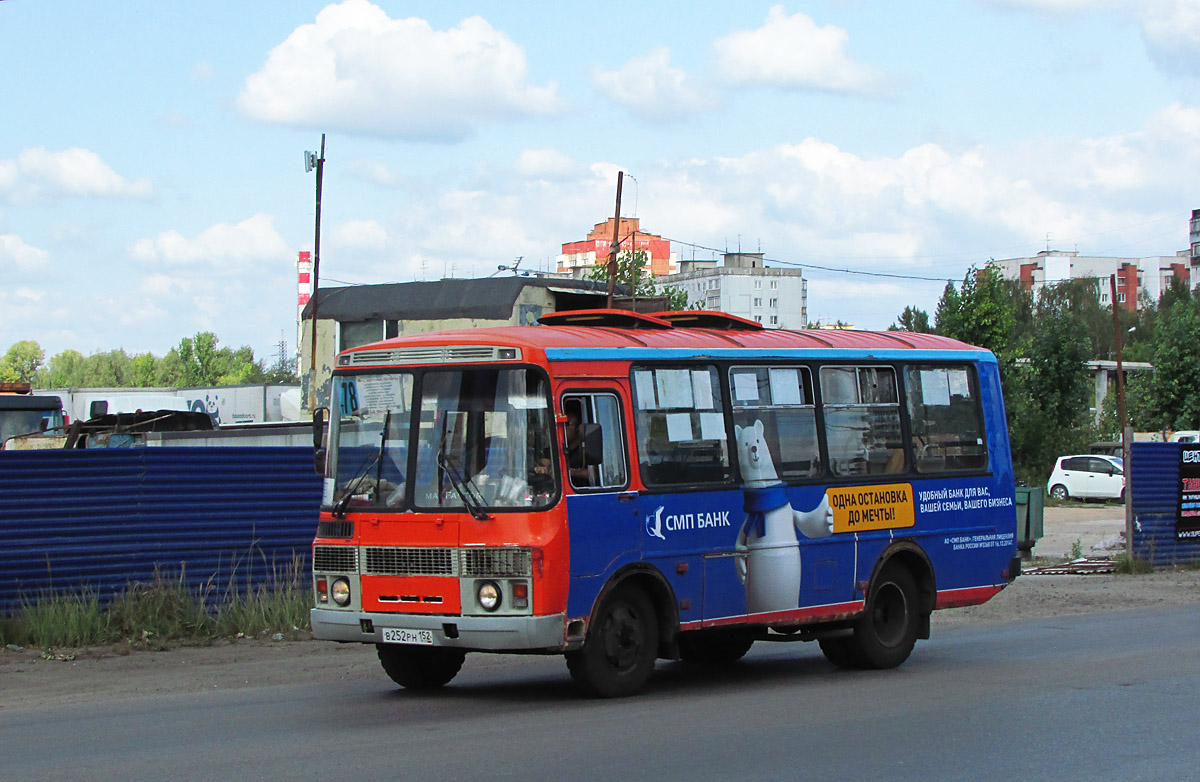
487	634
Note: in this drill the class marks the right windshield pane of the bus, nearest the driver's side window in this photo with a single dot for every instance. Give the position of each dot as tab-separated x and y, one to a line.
487	441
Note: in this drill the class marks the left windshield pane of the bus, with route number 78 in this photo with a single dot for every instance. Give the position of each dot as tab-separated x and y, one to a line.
370	440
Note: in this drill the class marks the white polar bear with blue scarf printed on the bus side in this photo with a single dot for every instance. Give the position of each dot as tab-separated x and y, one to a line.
771	566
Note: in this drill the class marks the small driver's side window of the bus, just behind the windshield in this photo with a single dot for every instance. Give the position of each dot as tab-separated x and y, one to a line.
595	443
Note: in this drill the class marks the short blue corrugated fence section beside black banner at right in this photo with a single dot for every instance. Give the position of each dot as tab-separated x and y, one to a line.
1155	478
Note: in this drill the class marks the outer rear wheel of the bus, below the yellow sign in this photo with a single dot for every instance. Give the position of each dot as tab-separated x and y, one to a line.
886	634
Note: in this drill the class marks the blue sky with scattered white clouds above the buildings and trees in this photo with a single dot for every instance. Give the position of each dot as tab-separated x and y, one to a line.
153	184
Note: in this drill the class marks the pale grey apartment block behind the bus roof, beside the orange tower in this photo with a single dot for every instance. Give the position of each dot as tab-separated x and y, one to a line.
742	286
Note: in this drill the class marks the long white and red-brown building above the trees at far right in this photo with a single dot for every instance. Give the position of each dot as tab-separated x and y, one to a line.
1135	276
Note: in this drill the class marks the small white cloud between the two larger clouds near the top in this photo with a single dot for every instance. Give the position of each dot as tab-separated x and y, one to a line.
652	89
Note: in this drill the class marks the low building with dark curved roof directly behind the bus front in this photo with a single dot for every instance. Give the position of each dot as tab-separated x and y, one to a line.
356	316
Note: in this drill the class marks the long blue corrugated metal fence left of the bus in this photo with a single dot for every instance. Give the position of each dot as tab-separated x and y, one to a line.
100	520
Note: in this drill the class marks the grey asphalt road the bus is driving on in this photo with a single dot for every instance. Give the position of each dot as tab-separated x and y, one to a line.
1095	696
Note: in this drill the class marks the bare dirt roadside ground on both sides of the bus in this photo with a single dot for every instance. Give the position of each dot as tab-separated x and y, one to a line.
33	677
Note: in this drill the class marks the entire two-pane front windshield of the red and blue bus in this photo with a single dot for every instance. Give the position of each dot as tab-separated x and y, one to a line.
484	440
